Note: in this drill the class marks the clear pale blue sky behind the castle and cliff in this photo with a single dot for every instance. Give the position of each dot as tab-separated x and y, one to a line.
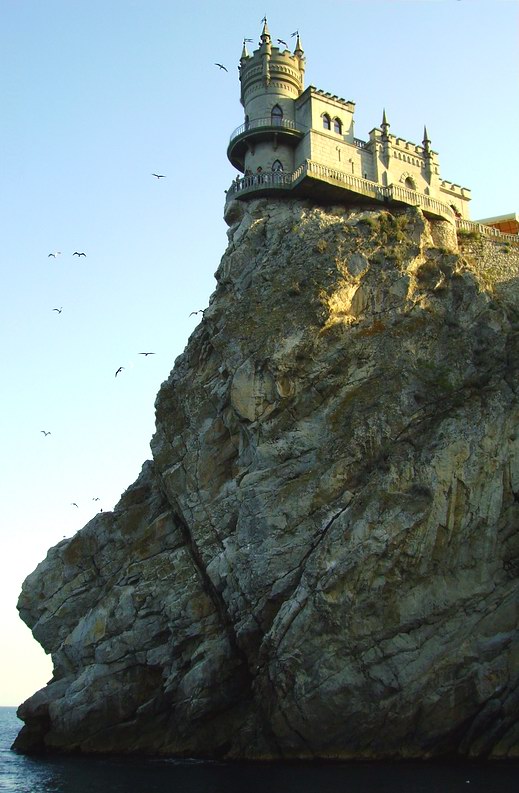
96	96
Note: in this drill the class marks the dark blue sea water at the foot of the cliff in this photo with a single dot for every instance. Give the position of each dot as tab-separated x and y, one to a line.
19	774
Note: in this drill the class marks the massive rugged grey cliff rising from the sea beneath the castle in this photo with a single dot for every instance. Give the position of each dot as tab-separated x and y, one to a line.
322	557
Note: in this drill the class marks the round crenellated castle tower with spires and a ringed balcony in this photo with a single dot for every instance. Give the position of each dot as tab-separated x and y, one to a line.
272	78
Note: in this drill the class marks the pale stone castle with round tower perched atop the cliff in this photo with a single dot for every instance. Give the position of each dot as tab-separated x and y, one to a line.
301	142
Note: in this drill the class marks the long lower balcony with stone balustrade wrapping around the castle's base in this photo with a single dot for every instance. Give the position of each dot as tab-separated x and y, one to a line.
313	180
